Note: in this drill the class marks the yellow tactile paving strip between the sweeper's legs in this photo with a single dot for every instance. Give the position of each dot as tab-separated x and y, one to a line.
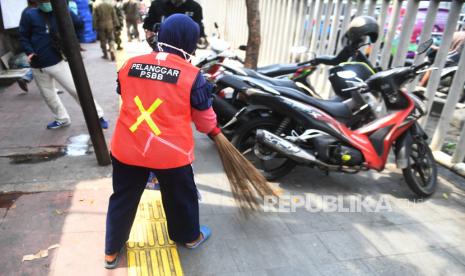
149	249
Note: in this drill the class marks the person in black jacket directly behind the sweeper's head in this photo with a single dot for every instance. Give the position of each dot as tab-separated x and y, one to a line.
161	9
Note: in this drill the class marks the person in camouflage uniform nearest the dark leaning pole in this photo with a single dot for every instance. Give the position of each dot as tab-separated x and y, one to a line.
105	22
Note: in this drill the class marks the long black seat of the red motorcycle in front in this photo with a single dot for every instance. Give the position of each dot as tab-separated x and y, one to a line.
334	108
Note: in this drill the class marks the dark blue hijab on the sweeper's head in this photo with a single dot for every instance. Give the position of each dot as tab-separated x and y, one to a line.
180	31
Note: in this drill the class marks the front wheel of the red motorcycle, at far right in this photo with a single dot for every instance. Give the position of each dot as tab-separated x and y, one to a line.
421	174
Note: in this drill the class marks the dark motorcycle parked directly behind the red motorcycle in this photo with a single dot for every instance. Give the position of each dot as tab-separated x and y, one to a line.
231	107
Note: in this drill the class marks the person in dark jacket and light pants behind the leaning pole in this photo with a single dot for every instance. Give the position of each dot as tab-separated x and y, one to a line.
41	42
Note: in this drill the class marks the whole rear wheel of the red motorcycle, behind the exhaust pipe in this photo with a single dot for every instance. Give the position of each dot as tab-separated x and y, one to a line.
266	161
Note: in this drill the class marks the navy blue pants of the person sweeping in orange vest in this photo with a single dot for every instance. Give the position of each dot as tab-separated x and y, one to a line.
179	196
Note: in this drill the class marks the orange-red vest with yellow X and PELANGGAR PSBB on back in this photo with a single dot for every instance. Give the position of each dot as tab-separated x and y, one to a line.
154	126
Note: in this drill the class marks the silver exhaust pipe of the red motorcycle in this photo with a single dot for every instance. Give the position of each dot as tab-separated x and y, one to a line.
289	149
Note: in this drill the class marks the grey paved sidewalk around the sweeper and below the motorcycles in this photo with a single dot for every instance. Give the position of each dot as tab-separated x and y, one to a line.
69	202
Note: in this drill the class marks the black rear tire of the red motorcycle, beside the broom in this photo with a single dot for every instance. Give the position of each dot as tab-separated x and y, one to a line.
245	134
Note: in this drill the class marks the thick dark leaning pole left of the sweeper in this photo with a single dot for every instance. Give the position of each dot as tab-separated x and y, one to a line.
78	71
